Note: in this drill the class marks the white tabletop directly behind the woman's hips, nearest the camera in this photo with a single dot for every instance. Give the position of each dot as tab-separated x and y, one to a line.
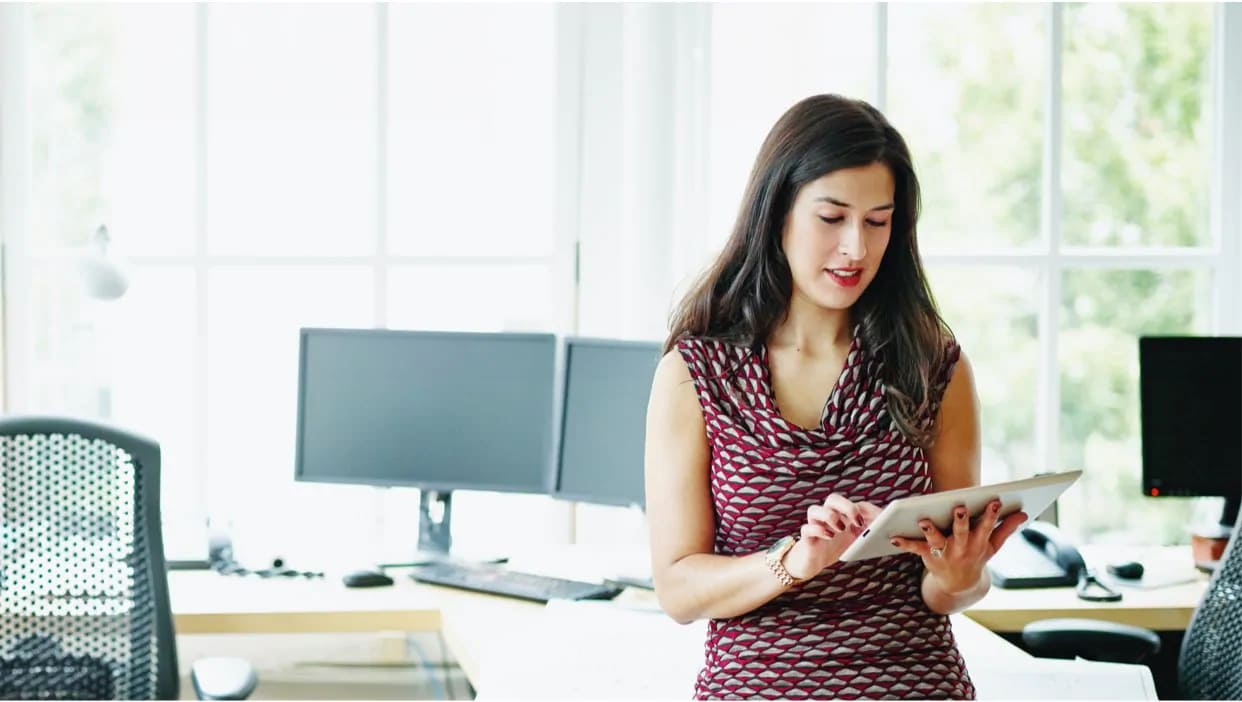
609	652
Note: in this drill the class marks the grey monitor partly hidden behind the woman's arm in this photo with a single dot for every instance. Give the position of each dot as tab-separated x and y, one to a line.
604	421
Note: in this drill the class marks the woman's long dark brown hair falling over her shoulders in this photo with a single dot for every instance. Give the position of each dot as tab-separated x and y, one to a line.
747	291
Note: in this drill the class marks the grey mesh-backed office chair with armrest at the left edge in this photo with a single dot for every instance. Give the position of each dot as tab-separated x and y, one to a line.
84	595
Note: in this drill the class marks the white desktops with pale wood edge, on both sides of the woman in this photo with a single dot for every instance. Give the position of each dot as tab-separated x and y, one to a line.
624	649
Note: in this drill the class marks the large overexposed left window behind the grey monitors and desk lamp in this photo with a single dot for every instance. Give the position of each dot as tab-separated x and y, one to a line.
266	168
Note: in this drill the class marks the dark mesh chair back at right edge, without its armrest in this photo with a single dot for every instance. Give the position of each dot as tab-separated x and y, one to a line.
1210	667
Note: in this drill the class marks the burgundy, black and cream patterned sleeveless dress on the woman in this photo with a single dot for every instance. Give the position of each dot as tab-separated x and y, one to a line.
858	629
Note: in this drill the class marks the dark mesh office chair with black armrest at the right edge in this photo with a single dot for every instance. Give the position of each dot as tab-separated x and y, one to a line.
1210	665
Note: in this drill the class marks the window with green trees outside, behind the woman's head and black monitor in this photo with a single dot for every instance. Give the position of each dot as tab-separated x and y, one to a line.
1065	156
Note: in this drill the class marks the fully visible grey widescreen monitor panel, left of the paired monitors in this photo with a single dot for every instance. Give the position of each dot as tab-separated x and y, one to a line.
434	411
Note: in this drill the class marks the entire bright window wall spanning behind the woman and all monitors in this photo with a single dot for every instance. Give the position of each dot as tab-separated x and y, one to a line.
451	166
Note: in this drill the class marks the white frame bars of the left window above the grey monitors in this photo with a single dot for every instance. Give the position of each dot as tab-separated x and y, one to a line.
16	181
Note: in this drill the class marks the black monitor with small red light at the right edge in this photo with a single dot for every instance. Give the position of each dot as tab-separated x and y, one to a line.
1190	396
